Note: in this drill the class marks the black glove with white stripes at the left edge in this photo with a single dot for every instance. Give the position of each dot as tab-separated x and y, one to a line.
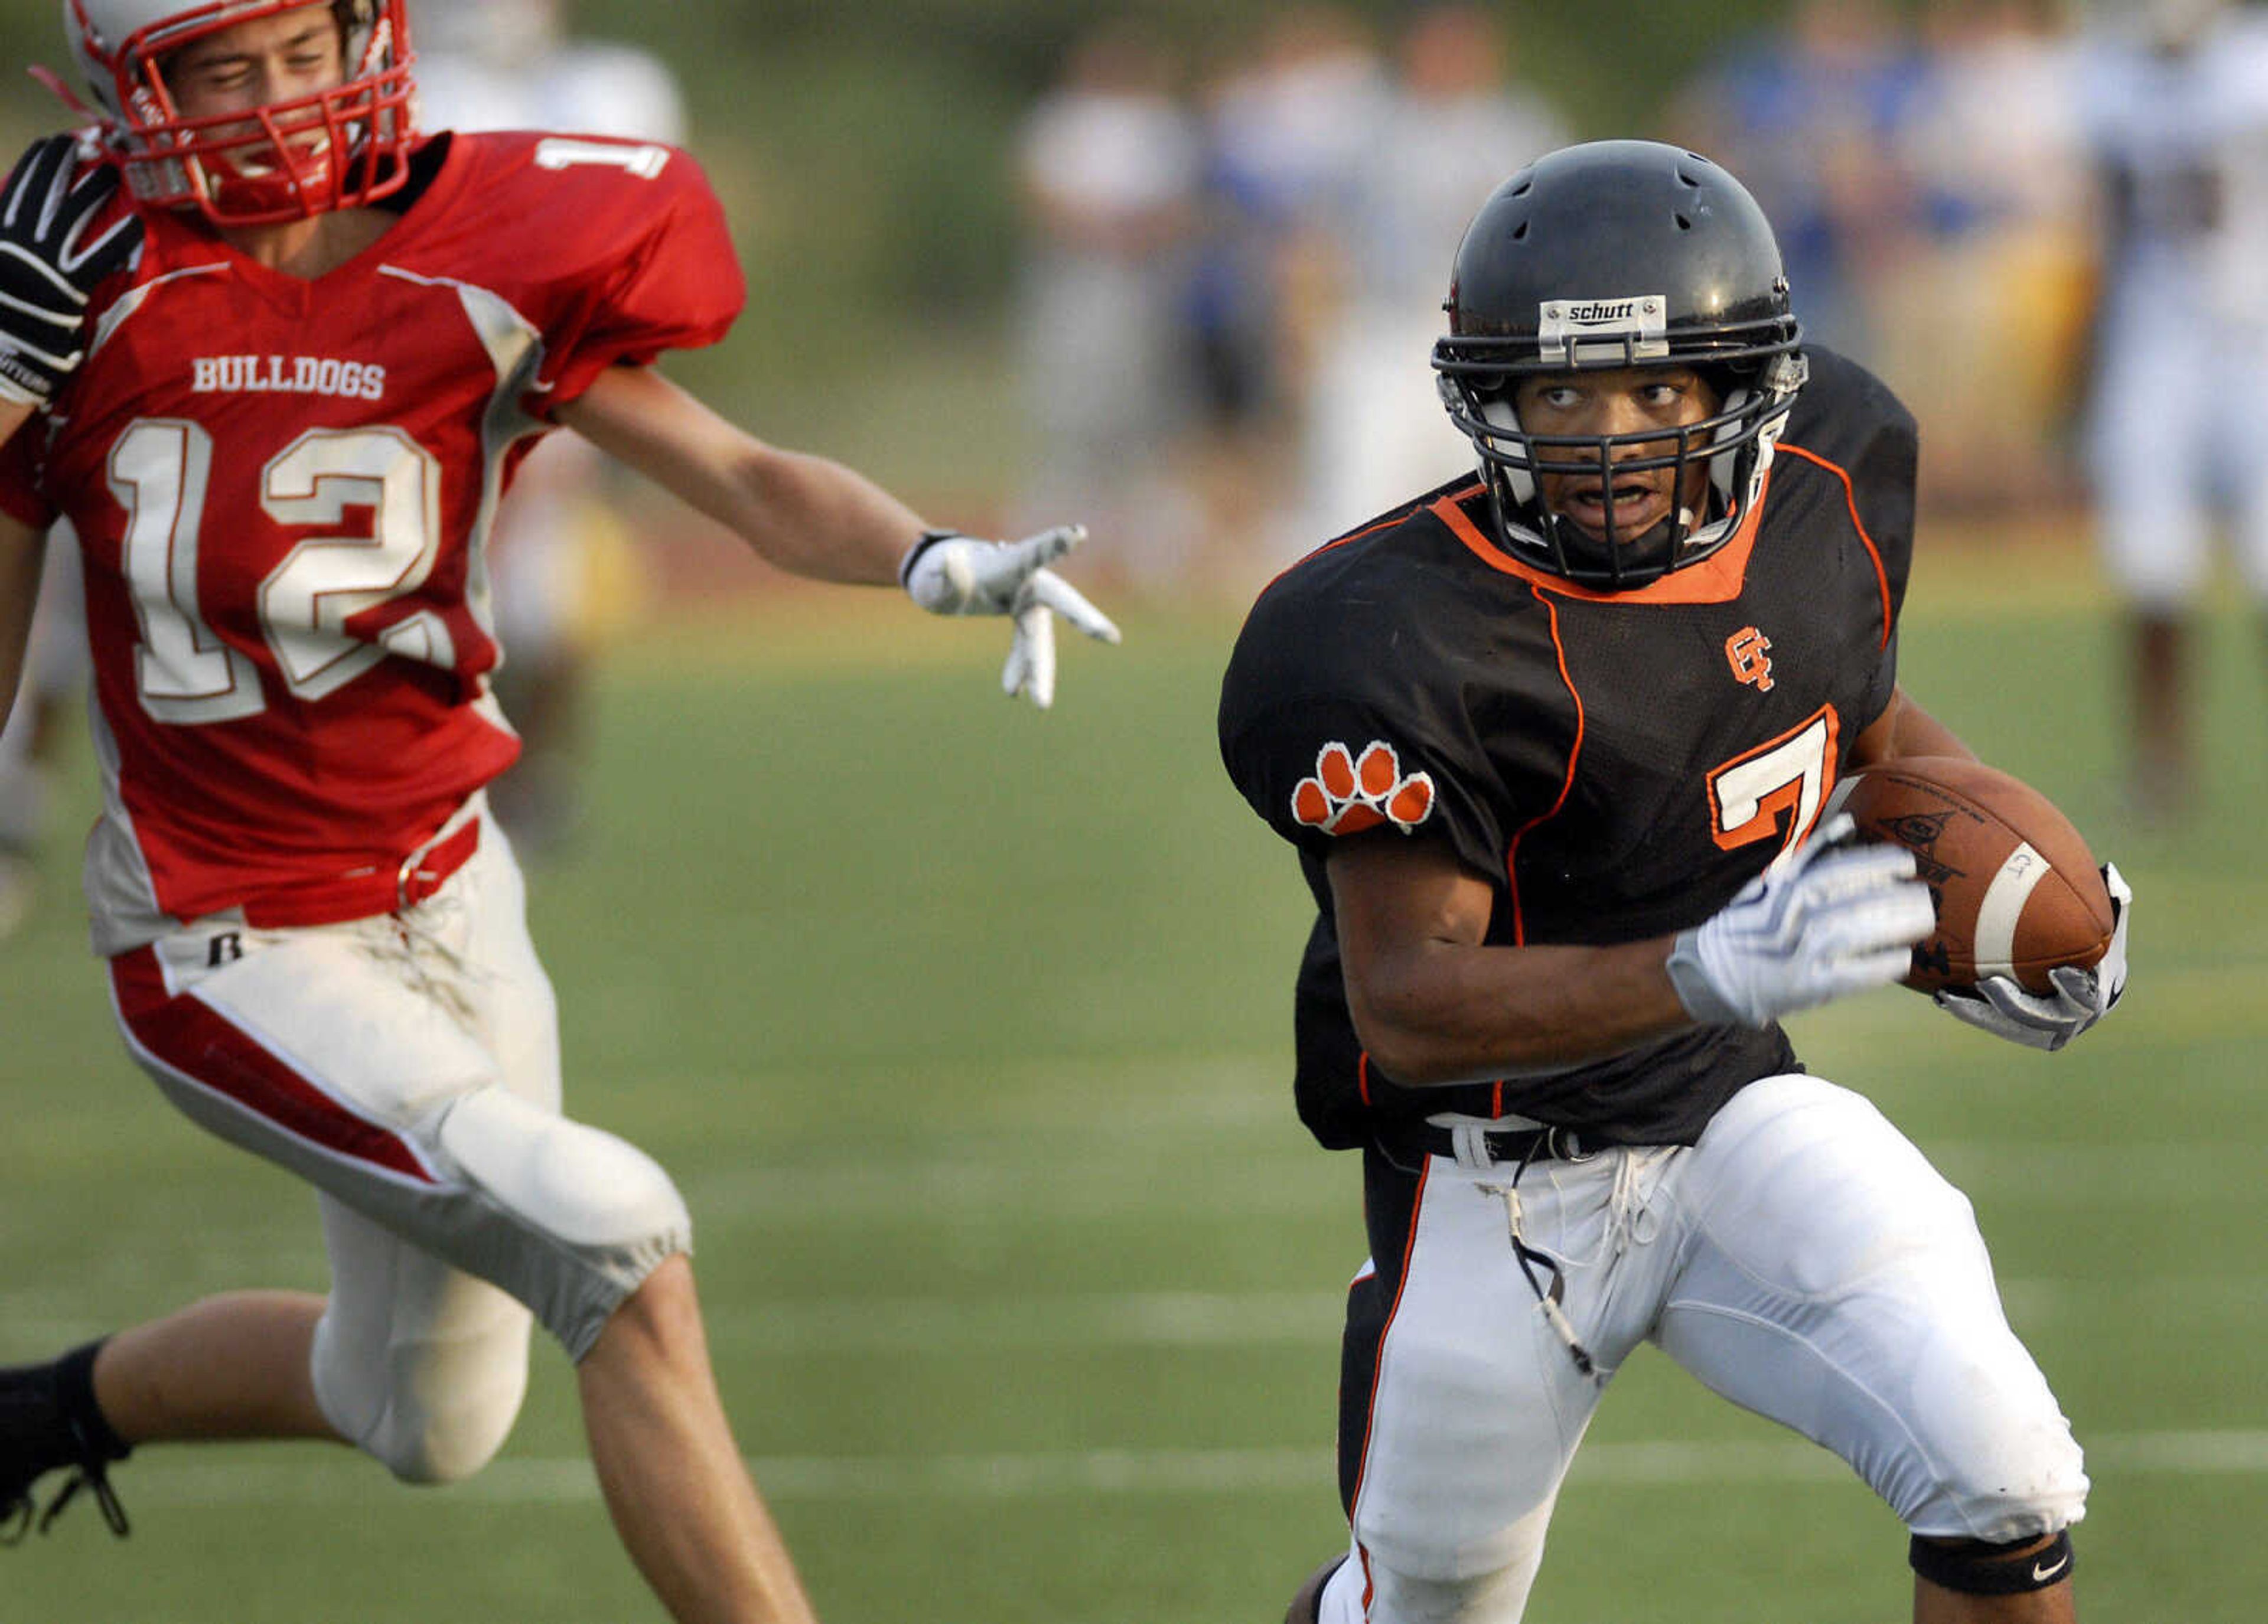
49	267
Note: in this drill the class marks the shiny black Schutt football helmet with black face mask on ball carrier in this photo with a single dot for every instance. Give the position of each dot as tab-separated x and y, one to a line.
1620	255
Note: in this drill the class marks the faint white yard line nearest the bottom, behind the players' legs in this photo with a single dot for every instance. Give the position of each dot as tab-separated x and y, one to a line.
208	1482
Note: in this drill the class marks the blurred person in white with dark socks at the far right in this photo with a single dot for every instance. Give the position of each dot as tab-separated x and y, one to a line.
2176	103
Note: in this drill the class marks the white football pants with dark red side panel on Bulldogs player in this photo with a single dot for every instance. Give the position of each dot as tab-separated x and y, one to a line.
409	1069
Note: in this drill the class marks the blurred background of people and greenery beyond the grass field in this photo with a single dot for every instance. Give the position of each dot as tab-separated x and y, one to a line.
1174	269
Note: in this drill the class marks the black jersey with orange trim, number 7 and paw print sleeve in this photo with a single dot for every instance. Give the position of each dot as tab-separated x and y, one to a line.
1614	766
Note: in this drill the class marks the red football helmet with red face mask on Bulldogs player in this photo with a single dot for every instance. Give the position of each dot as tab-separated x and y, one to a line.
291	160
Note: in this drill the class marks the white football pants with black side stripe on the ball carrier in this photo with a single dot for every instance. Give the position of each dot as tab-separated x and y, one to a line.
1804	1260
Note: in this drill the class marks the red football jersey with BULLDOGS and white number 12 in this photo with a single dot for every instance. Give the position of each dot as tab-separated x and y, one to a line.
285	491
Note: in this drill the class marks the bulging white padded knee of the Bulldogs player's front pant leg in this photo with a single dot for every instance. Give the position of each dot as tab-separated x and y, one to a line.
586	1215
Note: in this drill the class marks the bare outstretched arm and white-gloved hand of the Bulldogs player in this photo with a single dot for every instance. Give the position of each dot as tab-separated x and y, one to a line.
818	518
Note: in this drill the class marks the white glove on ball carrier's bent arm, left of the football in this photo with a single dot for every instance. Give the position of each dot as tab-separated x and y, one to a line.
1825	922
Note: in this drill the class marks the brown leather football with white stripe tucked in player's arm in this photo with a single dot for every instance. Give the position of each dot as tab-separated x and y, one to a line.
2017	890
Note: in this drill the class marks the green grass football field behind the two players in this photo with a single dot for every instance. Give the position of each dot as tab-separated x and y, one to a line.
967	1038
